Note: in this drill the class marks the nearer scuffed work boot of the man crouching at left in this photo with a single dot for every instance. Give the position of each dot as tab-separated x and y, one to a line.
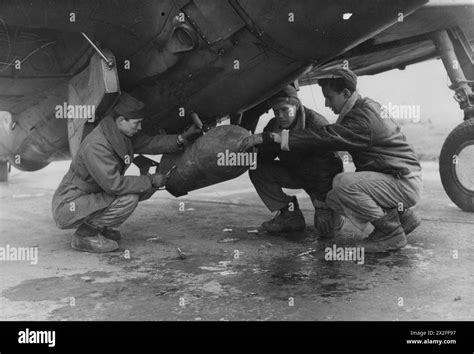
87	238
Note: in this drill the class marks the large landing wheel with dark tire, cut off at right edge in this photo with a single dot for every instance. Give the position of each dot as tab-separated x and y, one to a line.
457	158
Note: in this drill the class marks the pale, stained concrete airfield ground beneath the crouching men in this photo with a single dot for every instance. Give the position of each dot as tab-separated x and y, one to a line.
228	273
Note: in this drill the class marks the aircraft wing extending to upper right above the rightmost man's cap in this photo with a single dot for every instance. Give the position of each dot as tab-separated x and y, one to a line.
406	42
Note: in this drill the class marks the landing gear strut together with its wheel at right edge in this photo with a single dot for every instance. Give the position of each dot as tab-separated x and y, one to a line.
456	162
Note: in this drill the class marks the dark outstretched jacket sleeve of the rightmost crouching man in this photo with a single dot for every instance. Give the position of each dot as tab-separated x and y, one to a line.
351	134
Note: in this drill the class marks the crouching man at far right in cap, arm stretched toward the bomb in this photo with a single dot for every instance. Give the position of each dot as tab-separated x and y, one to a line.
387	182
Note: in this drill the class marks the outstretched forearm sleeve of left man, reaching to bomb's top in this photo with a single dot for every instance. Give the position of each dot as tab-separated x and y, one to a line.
155	145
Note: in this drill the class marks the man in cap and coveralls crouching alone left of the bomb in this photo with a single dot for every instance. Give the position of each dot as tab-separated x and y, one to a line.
94	195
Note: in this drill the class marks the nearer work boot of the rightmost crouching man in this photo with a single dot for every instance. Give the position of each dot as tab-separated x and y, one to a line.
388	234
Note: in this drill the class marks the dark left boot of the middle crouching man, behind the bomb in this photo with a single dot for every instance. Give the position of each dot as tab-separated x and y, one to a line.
289	218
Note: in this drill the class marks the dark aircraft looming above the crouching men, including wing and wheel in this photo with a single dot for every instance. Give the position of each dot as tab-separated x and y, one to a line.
208	60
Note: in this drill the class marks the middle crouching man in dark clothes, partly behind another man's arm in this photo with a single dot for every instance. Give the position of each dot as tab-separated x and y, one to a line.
304	168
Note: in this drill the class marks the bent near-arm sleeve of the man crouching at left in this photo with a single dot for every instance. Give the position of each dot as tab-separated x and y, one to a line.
102	166
